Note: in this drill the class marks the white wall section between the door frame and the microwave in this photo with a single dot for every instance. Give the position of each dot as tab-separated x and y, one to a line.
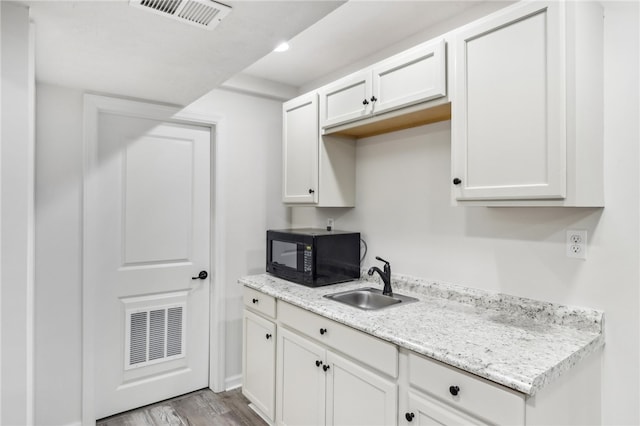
249	157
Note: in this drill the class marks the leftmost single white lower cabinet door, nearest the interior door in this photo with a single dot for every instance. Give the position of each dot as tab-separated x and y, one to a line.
259	363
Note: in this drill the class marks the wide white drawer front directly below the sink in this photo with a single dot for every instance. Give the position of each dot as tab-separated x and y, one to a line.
376	353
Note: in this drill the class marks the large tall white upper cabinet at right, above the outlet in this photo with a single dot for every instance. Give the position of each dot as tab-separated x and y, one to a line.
527	107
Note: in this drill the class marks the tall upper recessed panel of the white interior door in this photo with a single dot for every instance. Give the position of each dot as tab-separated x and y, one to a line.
165	163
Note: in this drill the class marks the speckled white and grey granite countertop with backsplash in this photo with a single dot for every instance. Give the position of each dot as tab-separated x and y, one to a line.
519	343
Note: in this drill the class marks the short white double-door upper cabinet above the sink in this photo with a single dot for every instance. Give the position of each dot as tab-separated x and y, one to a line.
413	76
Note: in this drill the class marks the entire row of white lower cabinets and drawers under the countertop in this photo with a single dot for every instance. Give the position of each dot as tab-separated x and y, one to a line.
321	372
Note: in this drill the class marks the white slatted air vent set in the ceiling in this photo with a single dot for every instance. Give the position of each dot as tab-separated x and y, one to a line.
200	13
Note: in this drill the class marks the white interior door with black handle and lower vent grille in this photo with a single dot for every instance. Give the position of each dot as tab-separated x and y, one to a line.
147	223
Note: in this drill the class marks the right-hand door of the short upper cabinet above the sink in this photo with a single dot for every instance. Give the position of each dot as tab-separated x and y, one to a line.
414	76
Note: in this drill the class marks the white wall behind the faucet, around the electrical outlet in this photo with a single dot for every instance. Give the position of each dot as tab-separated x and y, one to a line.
403	211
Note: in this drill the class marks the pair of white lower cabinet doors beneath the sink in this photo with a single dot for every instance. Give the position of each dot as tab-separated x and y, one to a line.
316	386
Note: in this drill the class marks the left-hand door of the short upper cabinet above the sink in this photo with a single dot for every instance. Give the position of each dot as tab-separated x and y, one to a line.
345	100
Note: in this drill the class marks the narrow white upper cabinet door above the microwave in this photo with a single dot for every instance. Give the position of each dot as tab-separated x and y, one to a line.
300	150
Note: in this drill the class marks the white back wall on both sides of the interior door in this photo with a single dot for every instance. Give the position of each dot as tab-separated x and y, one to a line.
248	163
